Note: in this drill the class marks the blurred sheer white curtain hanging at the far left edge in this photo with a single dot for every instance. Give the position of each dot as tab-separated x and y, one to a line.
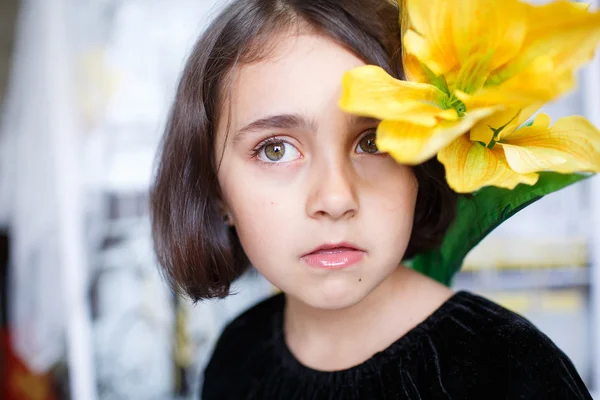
30	198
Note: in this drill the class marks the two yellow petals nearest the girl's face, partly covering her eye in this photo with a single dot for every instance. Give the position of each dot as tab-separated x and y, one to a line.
418	119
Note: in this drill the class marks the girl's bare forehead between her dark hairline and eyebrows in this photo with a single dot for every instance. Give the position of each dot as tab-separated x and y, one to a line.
303	75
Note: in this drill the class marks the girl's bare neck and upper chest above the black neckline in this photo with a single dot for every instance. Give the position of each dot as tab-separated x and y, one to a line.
338	339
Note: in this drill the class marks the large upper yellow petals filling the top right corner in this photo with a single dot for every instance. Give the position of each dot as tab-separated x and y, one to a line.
499	50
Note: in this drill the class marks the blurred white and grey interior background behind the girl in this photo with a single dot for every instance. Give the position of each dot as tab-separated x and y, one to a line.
85	86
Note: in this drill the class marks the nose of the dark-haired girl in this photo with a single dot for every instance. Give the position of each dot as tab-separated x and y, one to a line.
333	192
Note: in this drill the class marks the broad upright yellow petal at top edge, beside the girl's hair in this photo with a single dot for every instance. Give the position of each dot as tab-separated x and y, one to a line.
445	34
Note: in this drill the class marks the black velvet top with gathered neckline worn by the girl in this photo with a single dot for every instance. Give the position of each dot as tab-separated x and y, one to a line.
469	348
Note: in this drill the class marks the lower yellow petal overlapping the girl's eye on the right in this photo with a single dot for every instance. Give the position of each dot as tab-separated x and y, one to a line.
413	144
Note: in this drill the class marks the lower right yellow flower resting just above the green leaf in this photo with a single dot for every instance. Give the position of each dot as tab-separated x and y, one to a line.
497	152
